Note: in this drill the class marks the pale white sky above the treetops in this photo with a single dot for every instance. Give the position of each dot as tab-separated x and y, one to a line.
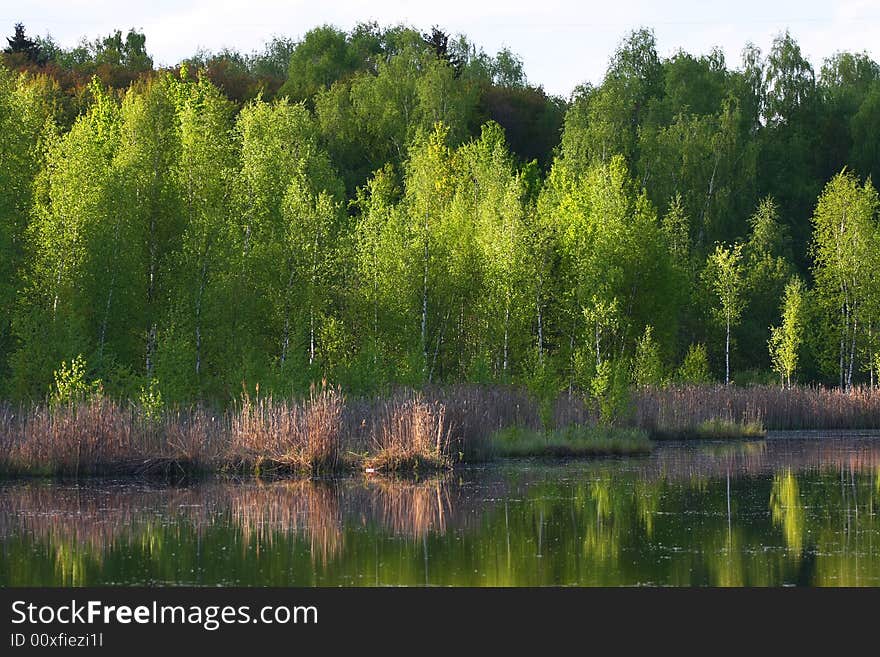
563	43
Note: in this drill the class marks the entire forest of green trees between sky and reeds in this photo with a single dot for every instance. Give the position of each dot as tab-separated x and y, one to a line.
364	222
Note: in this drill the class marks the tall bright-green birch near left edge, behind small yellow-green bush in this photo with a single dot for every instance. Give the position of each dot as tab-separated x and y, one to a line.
76	237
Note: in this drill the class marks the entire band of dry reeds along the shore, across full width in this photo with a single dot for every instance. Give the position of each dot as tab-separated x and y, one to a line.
406	430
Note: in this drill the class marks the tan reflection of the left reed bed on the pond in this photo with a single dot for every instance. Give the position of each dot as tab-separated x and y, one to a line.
73	519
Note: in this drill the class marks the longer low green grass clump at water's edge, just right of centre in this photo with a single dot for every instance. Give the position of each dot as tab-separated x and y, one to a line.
573	440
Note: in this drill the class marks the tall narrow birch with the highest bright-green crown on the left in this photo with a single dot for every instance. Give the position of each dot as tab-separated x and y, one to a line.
195	348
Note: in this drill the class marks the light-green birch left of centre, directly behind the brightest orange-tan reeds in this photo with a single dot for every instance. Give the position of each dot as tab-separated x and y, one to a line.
282	177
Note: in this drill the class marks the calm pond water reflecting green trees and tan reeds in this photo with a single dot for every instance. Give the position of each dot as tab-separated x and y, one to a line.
773	512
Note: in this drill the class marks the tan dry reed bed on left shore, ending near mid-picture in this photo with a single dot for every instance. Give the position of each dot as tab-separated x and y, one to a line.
318	435
